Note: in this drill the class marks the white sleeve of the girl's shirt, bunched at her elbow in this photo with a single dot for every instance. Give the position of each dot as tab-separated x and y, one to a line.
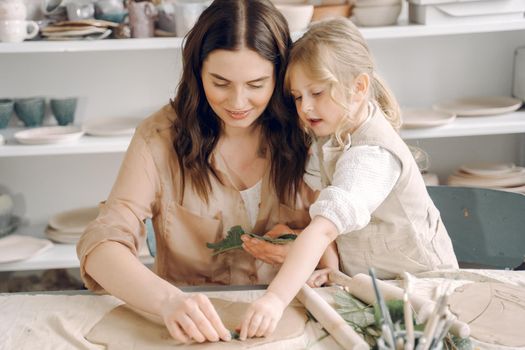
364	176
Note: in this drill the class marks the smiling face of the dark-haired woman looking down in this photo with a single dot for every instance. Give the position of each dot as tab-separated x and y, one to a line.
238	85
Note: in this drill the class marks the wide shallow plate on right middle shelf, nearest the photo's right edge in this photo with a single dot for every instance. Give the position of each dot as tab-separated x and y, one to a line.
479	106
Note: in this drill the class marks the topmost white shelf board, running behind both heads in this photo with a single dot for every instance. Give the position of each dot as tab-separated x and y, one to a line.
402	30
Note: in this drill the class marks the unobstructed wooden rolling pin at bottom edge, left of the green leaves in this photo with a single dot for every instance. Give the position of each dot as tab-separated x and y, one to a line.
331	320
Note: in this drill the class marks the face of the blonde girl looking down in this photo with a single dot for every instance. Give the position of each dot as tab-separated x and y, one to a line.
317	110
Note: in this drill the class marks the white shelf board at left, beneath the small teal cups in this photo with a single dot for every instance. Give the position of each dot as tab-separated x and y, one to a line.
86	144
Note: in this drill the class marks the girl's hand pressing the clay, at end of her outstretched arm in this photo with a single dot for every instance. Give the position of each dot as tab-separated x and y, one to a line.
262	316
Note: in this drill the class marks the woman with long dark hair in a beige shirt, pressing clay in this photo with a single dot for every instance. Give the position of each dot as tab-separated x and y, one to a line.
226	152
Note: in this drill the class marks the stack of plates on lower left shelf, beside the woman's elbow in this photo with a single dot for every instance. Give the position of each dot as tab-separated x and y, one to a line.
67	227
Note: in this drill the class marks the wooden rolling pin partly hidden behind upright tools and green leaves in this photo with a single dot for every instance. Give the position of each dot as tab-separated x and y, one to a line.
361	287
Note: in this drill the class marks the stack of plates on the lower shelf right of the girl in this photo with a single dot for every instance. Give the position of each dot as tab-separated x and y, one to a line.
499	176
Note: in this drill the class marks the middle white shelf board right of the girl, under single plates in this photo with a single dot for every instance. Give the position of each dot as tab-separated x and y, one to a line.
512	123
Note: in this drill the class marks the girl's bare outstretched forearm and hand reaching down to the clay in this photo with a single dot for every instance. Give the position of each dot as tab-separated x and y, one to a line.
263	315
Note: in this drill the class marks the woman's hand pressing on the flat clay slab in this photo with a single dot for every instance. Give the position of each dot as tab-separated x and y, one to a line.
193	317
